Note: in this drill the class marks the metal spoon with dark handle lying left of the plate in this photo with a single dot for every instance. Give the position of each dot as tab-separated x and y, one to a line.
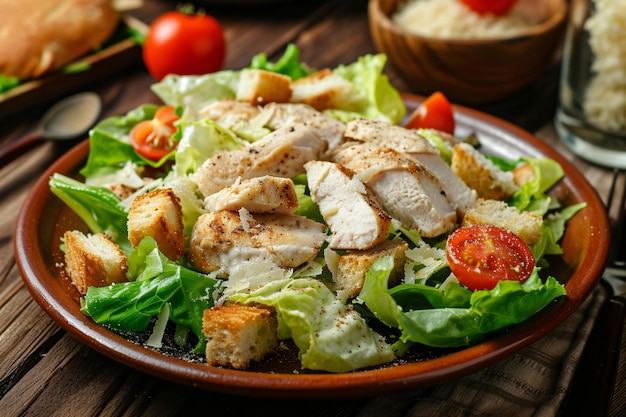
67	119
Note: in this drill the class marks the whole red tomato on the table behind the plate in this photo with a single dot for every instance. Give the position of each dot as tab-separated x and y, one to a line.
183	44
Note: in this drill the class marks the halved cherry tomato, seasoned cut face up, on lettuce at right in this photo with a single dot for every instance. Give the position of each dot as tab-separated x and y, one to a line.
482	255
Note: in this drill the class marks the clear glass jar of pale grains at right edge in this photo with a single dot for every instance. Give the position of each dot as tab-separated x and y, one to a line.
591	117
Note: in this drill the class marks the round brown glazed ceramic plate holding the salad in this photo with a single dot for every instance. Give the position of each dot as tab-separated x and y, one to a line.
44	218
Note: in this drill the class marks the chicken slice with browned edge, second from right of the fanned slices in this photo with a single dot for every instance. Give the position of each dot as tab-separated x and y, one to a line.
407	190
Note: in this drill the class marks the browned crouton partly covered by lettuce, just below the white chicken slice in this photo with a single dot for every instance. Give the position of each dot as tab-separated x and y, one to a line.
354	265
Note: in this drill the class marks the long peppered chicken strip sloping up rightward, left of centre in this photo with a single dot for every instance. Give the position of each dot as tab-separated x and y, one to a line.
282	153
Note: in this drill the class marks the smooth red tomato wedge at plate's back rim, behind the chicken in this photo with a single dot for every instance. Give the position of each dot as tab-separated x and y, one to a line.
434	113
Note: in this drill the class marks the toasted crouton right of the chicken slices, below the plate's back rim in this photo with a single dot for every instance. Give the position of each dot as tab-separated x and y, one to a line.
479	173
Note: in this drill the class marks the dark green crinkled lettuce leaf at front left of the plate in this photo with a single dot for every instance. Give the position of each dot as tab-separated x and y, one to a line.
154	281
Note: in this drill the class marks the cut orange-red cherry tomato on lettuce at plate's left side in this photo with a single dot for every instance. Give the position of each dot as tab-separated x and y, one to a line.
152	139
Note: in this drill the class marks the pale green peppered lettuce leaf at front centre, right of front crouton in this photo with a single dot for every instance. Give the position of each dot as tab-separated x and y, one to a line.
330	335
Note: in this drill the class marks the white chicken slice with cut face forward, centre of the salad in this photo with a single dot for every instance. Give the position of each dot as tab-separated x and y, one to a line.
355	219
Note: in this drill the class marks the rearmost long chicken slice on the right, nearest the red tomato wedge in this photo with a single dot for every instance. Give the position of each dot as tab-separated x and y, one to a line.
417	147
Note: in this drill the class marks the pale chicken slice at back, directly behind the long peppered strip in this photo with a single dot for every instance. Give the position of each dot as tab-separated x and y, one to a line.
276	115
